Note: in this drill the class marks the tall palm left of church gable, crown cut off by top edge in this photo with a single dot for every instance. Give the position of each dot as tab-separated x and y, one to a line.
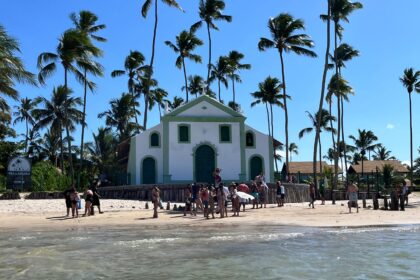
144	10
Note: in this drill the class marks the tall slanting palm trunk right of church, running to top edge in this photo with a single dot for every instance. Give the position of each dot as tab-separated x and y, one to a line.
321	100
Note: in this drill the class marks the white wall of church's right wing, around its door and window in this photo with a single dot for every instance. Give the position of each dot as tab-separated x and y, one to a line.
261	148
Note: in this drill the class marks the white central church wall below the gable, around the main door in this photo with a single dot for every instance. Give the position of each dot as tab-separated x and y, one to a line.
181	158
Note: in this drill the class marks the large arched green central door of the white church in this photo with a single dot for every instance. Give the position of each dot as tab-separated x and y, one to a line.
204	164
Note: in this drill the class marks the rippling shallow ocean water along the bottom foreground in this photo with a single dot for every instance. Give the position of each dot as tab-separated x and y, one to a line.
258	252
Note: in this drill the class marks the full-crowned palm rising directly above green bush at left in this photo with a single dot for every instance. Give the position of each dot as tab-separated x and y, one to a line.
59	113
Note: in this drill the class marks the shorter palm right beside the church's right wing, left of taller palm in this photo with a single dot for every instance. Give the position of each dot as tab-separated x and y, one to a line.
269	94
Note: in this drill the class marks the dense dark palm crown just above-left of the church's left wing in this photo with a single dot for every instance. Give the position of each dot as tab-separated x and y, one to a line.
120	116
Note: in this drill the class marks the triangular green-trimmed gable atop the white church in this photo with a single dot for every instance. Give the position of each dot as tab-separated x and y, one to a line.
204	106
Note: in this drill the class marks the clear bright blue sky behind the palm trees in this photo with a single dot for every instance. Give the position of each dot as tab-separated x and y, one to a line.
385	33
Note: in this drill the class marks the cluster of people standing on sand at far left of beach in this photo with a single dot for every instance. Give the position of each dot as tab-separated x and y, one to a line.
91	197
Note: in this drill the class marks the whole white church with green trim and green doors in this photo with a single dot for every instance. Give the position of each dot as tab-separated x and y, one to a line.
194	139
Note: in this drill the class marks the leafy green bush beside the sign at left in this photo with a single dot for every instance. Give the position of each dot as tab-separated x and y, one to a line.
46	177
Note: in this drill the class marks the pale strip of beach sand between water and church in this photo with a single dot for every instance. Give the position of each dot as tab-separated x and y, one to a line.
50	214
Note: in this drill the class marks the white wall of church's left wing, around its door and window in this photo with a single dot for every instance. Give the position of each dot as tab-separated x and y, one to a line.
143	150
